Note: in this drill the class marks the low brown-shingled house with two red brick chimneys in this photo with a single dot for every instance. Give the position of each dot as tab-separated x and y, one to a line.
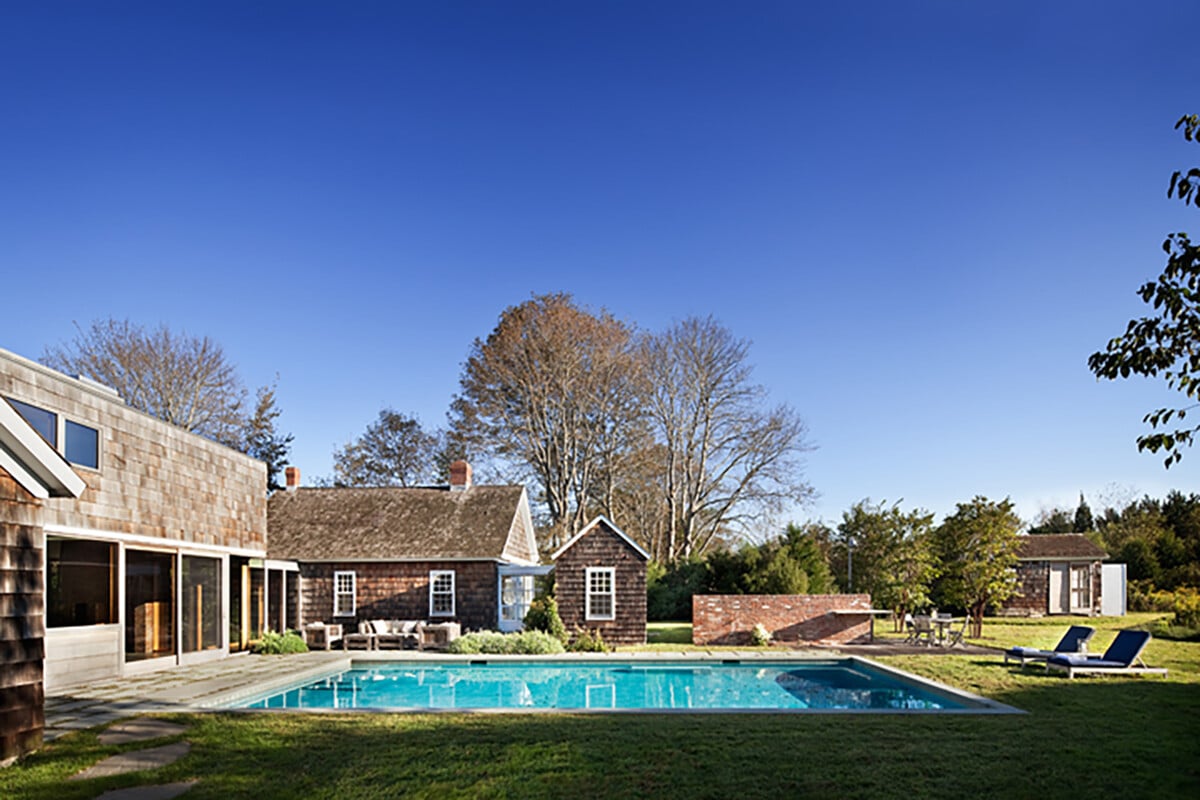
461	554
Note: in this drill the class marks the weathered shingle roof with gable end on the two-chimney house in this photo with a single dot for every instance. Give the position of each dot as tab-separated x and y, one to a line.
393	525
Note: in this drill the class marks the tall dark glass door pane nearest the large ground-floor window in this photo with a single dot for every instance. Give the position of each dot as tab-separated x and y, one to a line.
149	605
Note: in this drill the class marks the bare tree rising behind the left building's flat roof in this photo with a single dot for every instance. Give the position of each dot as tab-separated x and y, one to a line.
182	380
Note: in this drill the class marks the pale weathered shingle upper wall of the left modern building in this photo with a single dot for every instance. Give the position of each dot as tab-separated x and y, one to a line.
154	479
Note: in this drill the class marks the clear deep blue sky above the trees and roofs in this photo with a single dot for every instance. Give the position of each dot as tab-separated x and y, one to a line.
925	215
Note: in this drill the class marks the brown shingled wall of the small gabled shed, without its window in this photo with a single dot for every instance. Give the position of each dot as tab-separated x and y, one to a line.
602	548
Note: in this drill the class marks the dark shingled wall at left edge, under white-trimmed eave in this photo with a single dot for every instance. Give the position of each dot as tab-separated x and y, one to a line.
22	633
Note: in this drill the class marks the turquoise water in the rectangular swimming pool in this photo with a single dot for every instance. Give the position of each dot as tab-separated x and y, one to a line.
818	685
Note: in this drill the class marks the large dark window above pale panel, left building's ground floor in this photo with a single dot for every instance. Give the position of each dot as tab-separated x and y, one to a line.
81	579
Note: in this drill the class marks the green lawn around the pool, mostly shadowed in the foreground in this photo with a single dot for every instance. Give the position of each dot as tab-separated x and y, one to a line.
1129	737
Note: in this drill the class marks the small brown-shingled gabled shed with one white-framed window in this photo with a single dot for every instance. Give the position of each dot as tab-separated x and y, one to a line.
601	584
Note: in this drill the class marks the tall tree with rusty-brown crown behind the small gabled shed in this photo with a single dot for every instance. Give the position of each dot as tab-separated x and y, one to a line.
550	390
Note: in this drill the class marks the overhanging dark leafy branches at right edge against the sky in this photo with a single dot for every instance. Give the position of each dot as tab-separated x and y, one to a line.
1168	344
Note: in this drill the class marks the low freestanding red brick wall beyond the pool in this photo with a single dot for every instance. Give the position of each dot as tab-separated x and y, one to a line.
729	619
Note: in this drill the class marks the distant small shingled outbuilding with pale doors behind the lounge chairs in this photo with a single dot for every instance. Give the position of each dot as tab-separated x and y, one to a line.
1060	574
